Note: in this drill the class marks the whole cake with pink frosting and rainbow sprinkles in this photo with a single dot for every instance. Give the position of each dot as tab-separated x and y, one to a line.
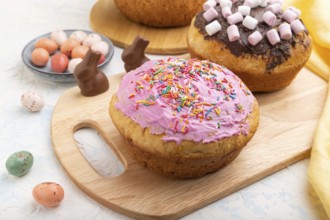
184	118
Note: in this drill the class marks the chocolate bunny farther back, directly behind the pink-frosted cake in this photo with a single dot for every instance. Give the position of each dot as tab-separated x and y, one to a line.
133	56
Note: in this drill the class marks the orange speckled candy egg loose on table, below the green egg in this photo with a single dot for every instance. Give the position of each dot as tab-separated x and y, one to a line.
48	194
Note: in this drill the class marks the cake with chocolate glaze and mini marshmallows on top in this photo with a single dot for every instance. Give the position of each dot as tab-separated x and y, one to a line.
264	45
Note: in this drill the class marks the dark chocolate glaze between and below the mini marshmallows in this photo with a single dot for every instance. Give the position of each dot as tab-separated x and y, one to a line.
276	54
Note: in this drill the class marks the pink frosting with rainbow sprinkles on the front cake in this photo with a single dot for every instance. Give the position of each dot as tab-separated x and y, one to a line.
186	100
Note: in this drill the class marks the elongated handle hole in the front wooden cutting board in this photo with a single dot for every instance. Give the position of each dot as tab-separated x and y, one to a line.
97	152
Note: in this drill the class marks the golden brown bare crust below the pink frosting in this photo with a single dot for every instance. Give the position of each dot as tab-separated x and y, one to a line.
186	160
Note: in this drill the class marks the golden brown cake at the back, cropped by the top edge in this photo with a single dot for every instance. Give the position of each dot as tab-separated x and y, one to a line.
160	13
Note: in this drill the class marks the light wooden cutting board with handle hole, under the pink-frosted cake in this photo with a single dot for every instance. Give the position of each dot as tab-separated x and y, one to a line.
287	123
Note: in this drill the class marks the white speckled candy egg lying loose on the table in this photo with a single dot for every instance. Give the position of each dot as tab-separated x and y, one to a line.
32	101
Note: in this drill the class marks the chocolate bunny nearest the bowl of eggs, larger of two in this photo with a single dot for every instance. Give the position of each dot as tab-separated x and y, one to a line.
91	80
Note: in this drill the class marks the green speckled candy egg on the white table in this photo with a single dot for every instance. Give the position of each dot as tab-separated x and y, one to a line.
19	163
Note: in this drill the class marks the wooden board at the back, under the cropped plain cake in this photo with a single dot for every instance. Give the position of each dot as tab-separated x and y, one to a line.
106	19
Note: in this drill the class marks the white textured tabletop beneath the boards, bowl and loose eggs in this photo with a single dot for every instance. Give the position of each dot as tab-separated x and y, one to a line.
283	195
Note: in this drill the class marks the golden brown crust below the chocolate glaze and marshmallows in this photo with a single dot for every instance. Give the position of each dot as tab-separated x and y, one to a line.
251	68
